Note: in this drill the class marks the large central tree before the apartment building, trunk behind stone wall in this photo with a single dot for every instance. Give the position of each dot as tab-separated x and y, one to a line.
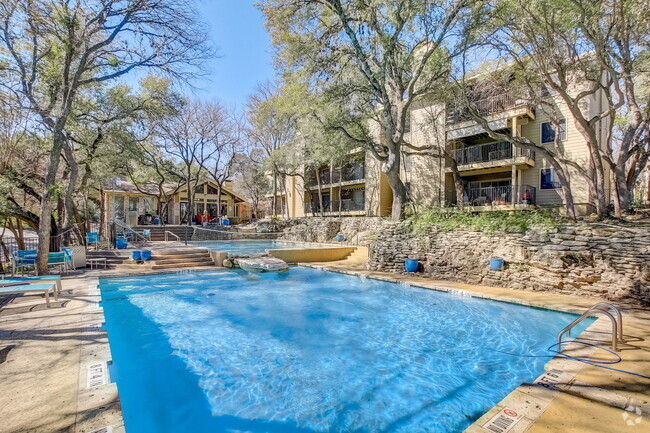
375	58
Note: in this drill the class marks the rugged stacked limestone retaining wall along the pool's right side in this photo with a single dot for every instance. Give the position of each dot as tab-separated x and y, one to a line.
599	260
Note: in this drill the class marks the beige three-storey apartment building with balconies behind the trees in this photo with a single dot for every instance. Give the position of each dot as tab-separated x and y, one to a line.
496	175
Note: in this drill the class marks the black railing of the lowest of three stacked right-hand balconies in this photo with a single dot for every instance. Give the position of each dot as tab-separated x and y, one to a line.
494	196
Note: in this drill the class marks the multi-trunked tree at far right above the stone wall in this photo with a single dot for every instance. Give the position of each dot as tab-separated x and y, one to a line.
585	51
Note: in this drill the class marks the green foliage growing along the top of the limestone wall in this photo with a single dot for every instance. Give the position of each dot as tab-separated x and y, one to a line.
496	221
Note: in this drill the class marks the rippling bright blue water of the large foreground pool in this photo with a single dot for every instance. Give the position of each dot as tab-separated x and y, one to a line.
312	351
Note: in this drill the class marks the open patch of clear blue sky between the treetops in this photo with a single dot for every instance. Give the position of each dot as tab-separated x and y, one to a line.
237	30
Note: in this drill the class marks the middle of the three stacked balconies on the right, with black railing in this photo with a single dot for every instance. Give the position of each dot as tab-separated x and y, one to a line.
492	155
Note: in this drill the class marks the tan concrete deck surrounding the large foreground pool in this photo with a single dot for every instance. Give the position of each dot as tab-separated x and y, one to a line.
47	358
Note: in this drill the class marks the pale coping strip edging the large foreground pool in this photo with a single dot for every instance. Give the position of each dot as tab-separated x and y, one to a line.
527	402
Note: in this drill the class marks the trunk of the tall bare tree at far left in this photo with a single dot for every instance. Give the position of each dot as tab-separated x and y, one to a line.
45	225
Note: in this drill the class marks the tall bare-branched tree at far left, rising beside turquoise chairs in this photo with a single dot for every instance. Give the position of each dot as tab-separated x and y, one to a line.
52	50
